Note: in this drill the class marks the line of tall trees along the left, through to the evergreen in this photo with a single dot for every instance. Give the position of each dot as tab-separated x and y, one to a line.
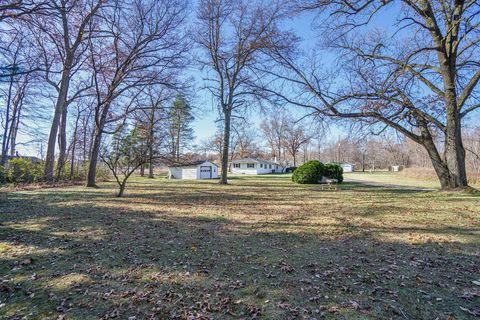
103	67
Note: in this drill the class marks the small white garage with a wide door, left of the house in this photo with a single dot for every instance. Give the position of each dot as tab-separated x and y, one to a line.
195	170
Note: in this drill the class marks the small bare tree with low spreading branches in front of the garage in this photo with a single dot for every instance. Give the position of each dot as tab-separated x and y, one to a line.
127	154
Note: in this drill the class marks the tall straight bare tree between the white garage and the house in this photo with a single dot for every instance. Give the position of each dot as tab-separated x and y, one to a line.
233	34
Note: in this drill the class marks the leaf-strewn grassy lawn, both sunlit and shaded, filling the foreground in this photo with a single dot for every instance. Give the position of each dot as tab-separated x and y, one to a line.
260	248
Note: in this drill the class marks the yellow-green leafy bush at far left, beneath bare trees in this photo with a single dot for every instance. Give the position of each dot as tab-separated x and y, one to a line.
23	171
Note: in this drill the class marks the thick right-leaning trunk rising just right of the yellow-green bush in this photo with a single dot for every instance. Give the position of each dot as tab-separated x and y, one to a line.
59	106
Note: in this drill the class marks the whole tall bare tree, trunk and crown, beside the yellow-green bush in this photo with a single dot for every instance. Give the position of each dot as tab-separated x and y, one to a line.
59	32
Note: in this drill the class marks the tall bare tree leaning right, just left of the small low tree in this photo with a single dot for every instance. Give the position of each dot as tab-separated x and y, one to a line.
139	47
